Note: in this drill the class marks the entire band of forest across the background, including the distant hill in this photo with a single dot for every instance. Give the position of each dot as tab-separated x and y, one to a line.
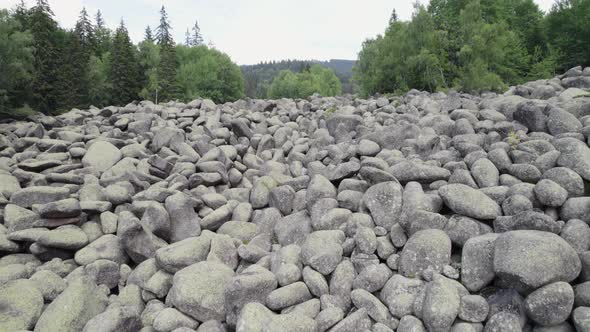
466	45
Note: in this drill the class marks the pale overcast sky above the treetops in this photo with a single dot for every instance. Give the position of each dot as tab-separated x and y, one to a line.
251	31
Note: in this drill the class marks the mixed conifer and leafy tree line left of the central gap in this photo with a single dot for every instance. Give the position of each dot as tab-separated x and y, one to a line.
50	69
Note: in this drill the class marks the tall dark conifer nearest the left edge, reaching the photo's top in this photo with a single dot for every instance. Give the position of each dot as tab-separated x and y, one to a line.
44	28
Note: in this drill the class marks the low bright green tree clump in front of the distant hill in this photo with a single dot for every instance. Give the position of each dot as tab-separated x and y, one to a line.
302	85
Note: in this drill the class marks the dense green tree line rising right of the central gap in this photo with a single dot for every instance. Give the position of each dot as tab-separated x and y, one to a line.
475	46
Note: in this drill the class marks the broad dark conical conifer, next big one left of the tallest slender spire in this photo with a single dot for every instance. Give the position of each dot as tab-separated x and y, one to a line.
123	71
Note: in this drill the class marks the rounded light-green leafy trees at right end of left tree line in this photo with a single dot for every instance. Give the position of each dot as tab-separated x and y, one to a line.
208	73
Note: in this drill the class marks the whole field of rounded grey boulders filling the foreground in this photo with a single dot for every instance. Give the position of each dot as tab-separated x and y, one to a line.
427	212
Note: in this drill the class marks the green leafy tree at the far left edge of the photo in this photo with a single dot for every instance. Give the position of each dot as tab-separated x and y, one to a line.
16	66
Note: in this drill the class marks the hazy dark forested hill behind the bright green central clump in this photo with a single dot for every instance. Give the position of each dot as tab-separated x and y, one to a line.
259	77
